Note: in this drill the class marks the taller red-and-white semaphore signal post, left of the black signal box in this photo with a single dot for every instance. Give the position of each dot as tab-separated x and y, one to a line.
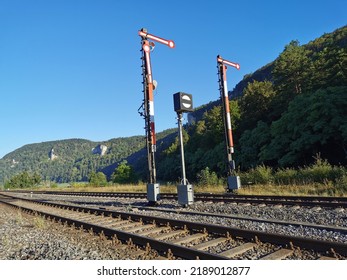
149	85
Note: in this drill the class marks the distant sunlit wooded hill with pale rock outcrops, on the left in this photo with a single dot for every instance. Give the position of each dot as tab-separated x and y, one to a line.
74	159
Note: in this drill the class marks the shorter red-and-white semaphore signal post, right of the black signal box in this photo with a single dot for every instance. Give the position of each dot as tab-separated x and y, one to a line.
233	181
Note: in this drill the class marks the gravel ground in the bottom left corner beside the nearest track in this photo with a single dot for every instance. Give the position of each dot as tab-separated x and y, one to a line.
26	237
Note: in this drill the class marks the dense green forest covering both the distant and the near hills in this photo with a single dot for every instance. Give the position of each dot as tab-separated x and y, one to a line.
283	115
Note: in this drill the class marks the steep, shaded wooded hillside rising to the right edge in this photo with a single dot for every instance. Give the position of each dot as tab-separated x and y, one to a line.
290	112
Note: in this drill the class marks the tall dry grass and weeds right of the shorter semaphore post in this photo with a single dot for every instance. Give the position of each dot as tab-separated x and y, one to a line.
320	178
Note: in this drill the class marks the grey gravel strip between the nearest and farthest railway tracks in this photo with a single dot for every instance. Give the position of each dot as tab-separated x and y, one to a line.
320	216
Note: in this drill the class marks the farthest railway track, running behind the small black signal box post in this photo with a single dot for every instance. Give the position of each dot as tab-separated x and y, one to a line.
310	201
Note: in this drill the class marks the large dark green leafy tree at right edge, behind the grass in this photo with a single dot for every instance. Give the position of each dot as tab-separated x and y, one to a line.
314	123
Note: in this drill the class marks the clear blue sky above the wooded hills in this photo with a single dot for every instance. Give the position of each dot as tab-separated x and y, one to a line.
71	68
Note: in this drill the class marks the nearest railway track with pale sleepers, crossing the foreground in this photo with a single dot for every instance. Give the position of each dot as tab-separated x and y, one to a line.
175	239
